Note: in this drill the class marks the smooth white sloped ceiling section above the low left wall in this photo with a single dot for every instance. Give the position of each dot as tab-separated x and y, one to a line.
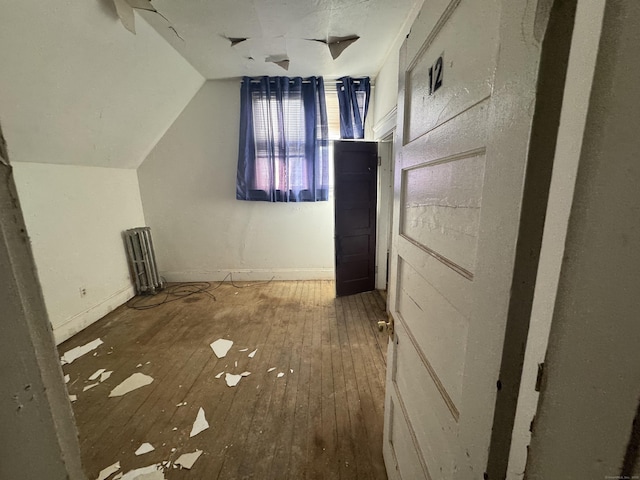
77	88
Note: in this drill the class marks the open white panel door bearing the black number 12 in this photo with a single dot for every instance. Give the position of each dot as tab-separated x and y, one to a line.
466	97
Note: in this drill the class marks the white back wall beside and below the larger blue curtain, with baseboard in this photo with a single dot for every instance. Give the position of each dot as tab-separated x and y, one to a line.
201	232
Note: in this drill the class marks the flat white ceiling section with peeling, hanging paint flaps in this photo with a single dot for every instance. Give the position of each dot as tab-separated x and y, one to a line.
206	33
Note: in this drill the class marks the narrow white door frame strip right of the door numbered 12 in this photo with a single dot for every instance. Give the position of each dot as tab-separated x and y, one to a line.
581	70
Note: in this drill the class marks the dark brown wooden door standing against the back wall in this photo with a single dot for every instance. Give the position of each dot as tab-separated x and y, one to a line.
355	167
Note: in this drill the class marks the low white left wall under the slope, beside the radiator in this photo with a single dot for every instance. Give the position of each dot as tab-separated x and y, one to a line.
74	217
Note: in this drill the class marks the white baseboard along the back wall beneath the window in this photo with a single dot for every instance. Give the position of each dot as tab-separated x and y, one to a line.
252	274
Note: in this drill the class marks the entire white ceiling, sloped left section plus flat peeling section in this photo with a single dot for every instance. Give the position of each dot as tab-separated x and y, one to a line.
77	88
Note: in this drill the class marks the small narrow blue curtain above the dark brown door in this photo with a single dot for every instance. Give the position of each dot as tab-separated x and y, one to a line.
353	98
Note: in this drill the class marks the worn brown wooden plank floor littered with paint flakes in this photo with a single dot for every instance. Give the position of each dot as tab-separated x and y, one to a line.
322	419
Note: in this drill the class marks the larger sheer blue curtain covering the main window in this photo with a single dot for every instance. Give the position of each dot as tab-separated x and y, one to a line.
283	151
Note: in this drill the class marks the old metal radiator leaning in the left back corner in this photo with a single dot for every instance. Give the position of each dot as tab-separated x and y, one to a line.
142	260
